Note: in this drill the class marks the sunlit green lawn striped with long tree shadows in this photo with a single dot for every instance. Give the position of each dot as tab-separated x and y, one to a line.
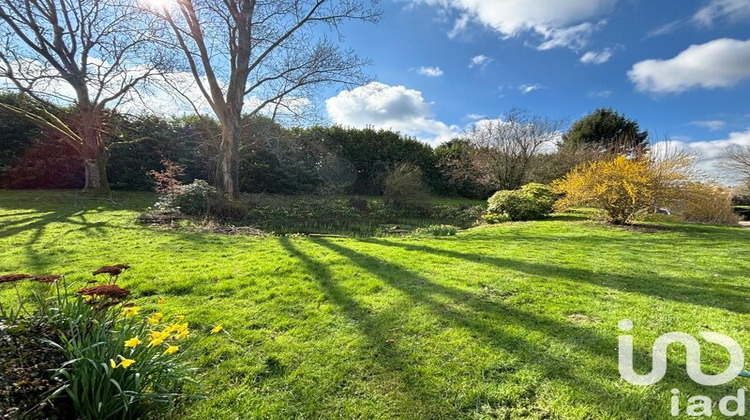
517	320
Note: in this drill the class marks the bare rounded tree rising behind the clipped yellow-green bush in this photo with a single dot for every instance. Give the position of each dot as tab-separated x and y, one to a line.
506	147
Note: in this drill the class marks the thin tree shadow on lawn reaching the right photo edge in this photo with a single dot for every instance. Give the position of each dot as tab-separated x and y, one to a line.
731	297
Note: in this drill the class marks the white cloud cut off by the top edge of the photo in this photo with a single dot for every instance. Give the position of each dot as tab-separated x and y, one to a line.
559	23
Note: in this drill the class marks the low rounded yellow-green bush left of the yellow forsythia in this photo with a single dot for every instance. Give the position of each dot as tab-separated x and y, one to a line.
533	201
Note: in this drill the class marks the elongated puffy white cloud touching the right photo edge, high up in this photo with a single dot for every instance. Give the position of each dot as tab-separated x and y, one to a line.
719	63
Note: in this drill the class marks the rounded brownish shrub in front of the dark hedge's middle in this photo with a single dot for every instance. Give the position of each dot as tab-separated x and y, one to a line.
404	188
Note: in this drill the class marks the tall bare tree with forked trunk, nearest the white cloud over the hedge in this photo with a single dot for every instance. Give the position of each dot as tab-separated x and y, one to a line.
267	54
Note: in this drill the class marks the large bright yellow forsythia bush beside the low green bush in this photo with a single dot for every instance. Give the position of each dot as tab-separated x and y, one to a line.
623	187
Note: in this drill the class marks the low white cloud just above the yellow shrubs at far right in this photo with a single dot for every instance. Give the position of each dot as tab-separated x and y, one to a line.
709	151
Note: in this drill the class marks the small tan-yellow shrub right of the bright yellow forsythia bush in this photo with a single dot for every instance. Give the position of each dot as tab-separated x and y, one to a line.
706	203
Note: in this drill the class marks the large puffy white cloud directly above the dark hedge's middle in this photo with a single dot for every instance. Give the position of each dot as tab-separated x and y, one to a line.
388	107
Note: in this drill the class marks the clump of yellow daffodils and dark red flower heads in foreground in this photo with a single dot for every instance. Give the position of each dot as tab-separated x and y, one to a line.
111	361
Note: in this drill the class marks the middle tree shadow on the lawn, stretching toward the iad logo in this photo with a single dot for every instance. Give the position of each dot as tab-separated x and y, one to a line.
490	321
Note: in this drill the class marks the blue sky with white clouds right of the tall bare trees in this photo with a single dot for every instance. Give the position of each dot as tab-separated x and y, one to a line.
534	51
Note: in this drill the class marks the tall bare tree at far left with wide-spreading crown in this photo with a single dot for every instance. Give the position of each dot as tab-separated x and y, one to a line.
89	55
